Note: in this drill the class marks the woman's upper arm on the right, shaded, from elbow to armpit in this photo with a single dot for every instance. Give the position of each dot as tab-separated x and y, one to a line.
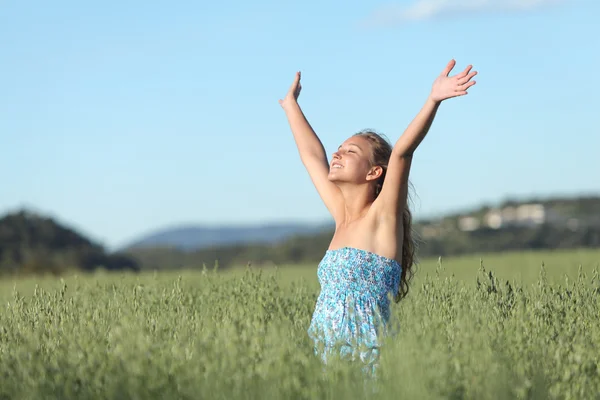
394	192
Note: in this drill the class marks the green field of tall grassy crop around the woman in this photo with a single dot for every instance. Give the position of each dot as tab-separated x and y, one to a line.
530	333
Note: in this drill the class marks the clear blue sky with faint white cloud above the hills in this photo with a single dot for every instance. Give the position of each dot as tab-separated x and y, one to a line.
121	117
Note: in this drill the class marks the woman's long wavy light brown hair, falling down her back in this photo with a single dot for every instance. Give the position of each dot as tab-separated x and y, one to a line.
381	153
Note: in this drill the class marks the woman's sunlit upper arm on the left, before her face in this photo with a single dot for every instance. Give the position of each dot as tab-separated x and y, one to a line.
318	169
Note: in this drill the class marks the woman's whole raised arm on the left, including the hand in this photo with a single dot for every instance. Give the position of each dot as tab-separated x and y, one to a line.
311	151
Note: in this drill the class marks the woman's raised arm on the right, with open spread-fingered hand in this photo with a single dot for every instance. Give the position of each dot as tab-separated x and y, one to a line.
392	198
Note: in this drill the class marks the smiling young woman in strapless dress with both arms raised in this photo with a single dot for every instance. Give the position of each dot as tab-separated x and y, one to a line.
365	188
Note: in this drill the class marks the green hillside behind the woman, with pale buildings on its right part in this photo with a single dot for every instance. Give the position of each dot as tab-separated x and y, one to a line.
512	225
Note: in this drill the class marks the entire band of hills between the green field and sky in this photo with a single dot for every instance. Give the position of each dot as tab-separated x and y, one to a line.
33	243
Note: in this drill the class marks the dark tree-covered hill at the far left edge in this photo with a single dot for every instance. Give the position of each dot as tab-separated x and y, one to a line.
32	243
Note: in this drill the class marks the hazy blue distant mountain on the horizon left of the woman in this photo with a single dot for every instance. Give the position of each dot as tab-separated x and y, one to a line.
189	238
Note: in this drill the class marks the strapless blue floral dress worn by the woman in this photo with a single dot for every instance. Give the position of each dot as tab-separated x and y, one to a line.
353	309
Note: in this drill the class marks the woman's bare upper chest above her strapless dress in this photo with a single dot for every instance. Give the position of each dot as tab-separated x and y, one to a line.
382	236
